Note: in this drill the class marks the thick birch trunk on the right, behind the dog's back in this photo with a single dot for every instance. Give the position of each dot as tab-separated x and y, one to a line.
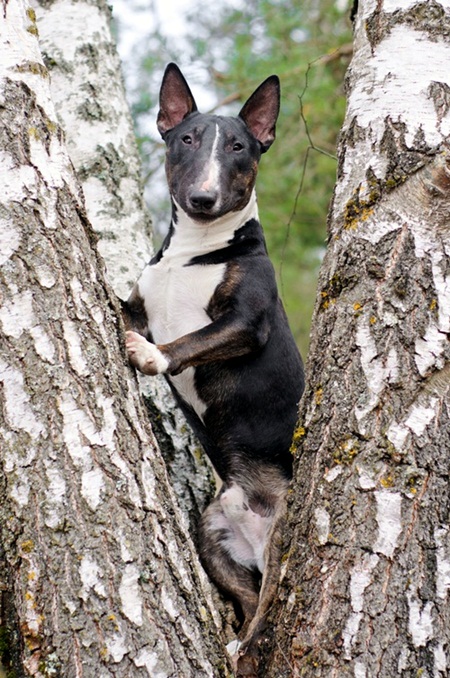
365	590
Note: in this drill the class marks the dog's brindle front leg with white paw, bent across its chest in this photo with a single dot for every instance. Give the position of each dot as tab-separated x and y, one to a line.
227	337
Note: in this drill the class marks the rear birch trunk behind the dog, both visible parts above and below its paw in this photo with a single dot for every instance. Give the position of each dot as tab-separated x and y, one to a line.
88	93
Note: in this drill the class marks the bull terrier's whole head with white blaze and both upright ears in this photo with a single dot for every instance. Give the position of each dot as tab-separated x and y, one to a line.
212	160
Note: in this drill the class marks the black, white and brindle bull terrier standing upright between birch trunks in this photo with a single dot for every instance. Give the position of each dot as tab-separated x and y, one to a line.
206	314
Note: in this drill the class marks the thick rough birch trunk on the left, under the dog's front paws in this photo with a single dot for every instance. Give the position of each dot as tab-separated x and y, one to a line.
98	575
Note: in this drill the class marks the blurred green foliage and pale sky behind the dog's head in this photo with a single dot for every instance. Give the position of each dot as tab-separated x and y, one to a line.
307	44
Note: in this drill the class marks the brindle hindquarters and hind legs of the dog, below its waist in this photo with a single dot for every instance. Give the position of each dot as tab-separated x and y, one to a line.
240	538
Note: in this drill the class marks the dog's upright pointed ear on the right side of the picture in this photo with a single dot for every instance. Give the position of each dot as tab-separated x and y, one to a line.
260	112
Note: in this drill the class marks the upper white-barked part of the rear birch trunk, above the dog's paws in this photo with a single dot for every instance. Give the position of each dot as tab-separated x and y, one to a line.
88	94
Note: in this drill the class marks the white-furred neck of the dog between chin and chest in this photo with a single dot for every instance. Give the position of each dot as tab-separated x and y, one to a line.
193	238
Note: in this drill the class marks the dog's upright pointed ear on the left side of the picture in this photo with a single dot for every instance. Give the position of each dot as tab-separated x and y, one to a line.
175	100
